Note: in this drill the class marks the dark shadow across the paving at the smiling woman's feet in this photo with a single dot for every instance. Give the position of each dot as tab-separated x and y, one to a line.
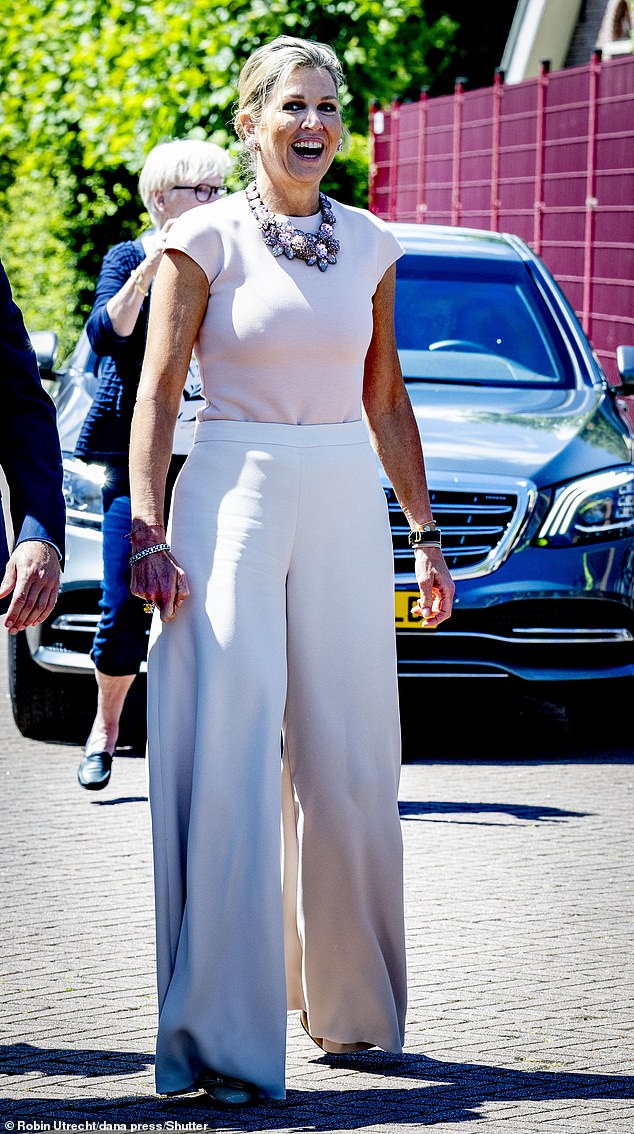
436	1093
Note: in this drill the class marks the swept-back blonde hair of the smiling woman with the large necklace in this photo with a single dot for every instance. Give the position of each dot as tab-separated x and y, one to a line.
267	70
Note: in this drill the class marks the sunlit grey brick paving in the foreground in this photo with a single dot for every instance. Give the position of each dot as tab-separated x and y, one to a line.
520	927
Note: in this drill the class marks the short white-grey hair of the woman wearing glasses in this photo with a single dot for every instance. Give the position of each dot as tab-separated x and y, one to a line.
181	163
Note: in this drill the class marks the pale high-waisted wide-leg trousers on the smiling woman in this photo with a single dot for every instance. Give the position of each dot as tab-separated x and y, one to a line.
284	535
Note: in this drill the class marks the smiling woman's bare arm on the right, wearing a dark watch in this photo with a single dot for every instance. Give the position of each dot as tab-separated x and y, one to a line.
398	442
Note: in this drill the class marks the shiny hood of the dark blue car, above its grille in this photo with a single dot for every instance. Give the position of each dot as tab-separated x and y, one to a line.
546	436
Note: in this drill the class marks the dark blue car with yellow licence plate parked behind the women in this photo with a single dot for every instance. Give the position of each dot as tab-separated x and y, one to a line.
530	468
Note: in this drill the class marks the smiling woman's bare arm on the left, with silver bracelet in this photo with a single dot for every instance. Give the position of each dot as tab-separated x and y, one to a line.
179	307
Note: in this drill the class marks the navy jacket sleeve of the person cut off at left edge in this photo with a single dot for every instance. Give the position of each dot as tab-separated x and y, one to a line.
30	451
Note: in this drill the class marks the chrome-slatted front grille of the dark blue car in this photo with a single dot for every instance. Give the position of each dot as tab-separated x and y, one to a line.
477	528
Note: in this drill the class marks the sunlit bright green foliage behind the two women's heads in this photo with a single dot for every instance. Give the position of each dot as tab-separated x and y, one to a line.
88	87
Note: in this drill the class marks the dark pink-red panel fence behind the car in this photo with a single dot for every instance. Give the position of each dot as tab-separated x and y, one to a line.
551	159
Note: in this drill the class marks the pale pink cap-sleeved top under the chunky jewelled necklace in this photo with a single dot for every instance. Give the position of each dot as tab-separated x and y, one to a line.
282	342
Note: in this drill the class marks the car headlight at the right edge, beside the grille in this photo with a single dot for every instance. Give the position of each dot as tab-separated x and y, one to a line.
599	507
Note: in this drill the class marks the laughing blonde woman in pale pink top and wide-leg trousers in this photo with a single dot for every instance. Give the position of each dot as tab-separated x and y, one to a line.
274	588
